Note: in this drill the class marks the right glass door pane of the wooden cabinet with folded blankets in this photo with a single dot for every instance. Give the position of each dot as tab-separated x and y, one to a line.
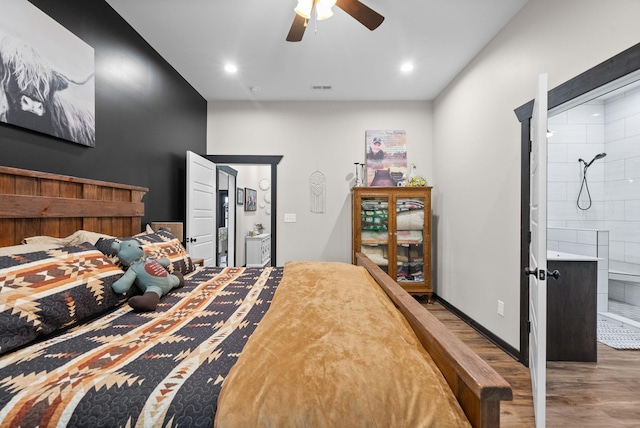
410	239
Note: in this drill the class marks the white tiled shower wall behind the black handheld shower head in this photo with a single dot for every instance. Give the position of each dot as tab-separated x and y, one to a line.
611	126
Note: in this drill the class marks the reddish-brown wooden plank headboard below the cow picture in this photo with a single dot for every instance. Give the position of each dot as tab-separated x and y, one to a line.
34	203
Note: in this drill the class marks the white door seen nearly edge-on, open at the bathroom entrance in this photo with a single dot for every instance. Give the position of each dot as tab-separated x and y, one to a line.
538	253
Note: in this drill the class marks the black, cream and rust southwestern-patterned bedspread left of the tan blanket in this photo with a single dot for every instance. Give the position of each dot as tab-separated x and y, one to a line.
125	369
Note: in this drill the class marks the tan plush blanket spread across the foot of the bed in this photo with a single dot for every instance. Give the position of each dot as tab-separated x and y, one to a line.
333	351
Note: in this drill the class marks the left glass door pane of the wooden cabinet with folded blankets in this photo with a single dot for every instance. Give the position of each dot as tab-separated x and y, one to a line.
374	230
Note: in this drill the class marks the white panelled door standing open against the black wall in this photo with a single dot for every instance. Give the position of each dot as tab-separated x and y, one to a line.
201	208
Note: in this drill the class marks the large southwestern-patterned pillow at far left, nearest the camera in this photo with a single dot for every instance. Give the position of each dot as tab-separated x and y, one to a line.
45	291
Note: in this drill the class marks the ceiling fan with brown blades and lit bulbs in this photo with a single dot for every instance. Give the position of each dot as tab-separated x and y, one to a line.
360	12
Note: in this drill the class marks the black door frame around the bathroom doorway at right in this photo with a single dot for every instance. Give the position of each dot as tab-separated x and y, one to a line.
614	68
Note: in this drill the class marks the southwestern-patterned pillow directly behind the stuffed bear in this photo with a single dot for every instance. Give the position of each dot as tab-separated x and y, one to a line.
155	245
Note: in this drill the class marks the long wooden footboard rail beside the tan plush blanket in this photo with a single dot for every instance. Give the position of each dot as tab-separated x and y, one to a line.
477	386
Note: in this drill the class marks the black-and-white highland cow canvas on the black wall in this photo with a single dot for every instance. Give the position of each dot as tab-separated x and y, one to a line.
57	100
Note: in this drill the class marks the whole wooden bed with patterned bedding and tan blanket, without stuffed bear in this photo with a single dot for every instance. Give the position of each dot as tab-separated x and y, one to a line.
211	350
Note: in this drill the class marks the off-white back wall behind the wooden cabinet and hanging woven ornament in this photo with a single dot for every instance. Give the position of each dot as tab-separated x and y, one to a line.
316	136
